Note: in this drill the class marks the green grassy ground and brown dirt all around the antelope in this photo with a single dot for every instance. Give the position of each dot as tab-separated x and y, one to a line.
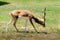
52	19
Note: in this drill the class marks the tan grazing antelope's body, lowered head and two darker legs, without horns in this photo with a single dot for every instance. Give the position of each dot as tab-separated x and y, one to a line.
26	13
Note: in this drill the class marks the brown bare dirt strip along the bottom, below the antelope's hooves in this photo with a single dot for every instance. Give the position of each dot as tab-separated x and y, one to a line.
28	36
